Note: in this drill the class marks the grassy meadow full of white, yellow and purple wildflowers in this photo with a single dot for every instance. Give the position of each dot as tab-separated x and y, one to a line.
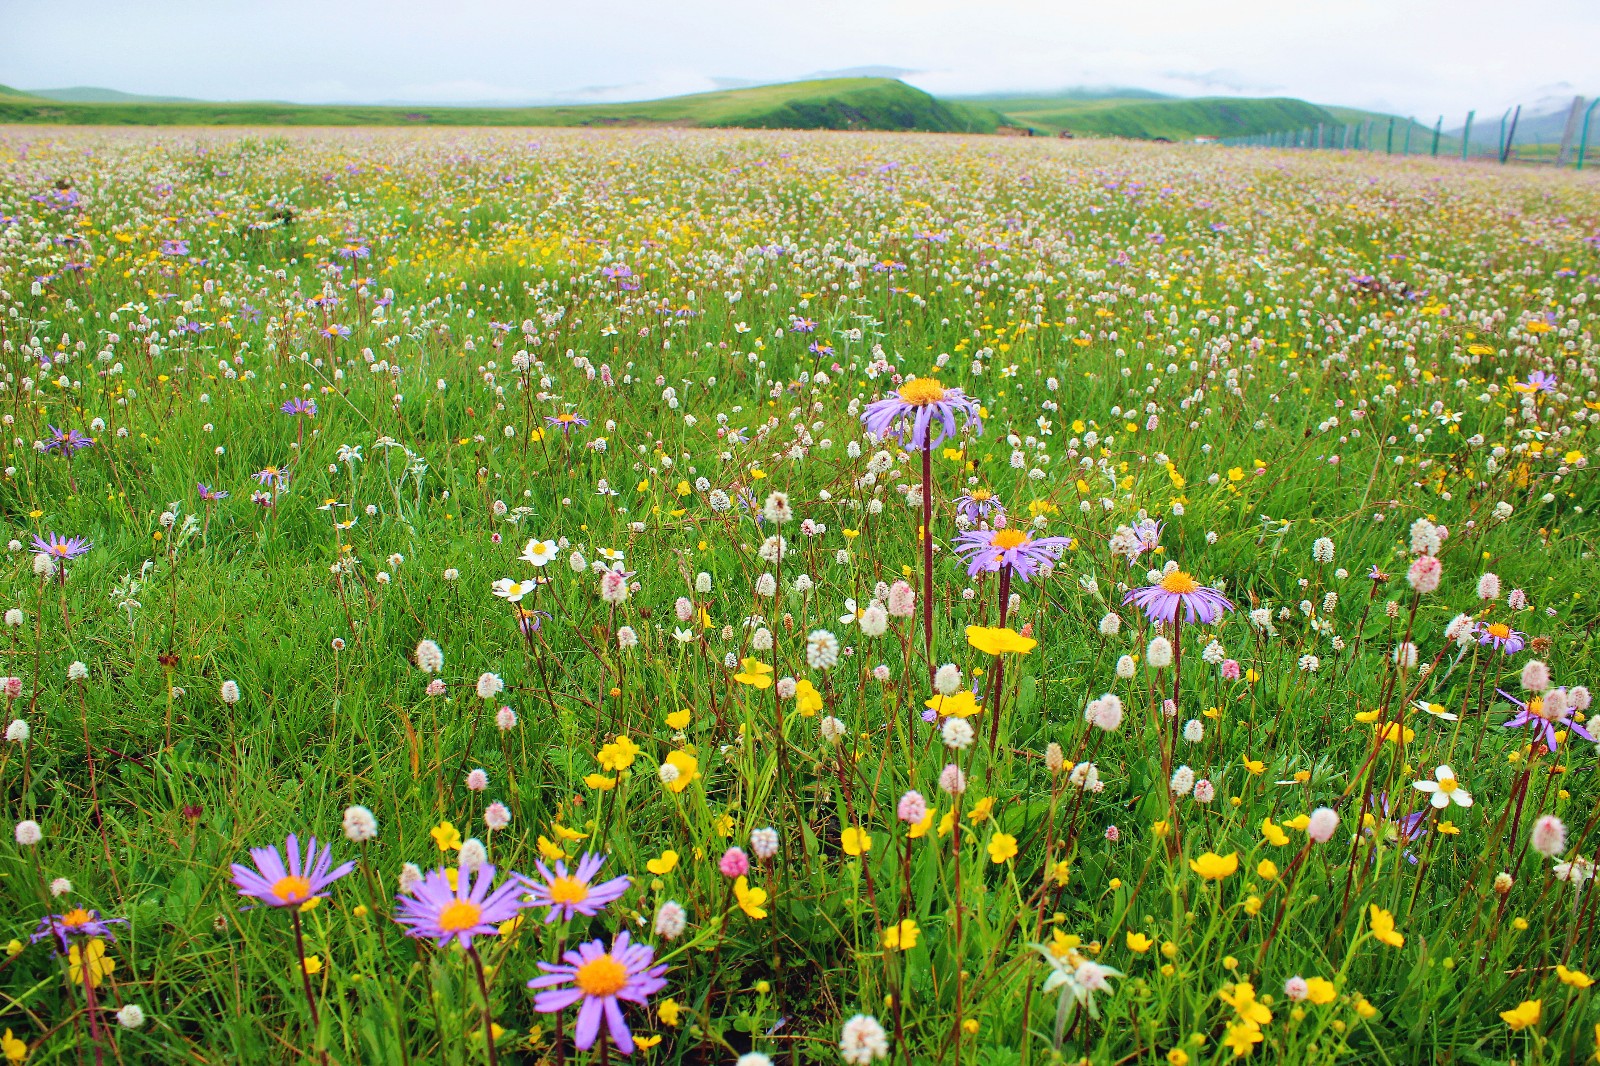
479	502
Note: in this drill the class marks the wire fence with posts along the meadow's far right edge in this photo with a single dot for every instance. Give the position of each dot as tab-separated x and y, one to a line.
1550	138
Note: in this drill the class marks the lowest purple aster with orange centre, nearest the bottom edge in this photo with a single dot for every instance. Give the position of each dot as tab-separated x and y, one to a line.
599	979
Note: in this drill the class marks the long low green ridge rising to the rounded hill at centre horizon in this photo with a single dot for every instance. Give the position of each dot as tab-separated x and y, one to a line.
823	105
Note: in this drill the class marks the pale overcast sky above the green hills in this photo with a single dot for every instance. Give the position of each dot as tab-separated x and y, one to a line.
1412	57
